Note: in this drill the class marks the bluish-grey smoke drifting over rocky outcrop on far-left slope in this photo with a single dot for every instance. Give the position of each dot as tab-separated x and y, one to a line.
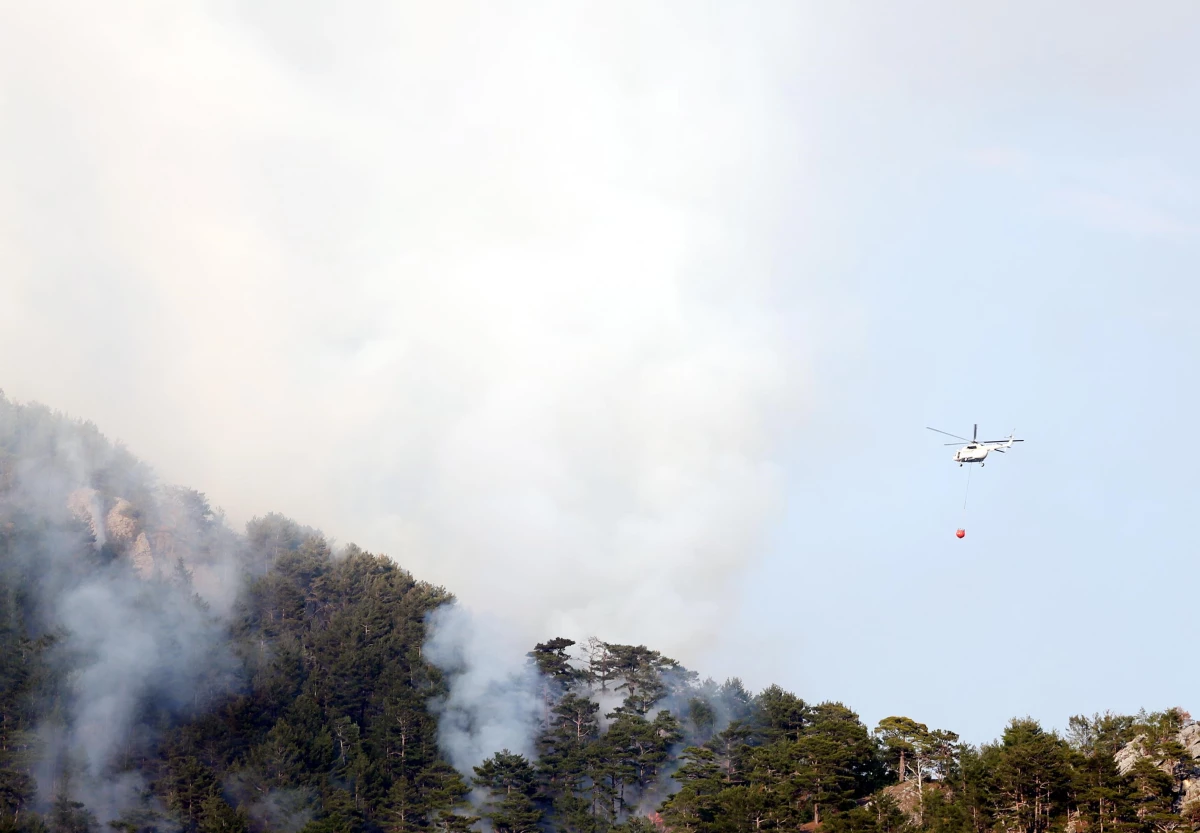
111	556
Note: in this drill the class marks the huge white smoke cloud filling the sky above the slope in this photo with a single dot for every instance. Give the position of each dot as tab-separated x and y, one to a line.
493	292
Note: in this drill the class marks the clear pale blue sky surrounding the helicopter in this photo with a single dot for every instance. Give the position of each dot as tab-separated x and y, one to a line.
1031	267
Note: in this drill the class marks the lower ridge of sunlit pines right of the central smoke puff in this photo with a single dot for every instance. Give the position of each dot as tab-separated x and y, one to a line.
773	762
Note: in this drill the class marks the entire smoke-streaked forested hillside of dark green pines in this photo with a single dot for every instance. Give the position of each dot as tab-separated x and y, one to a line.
160	672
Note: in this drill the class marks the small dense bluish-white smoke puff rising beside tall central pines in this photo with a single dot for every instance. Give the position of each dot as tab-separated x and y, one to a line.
494	690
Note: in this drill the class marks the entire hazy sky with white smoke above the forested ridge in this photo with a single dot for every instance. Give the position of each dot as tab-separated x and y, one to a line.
628	320
